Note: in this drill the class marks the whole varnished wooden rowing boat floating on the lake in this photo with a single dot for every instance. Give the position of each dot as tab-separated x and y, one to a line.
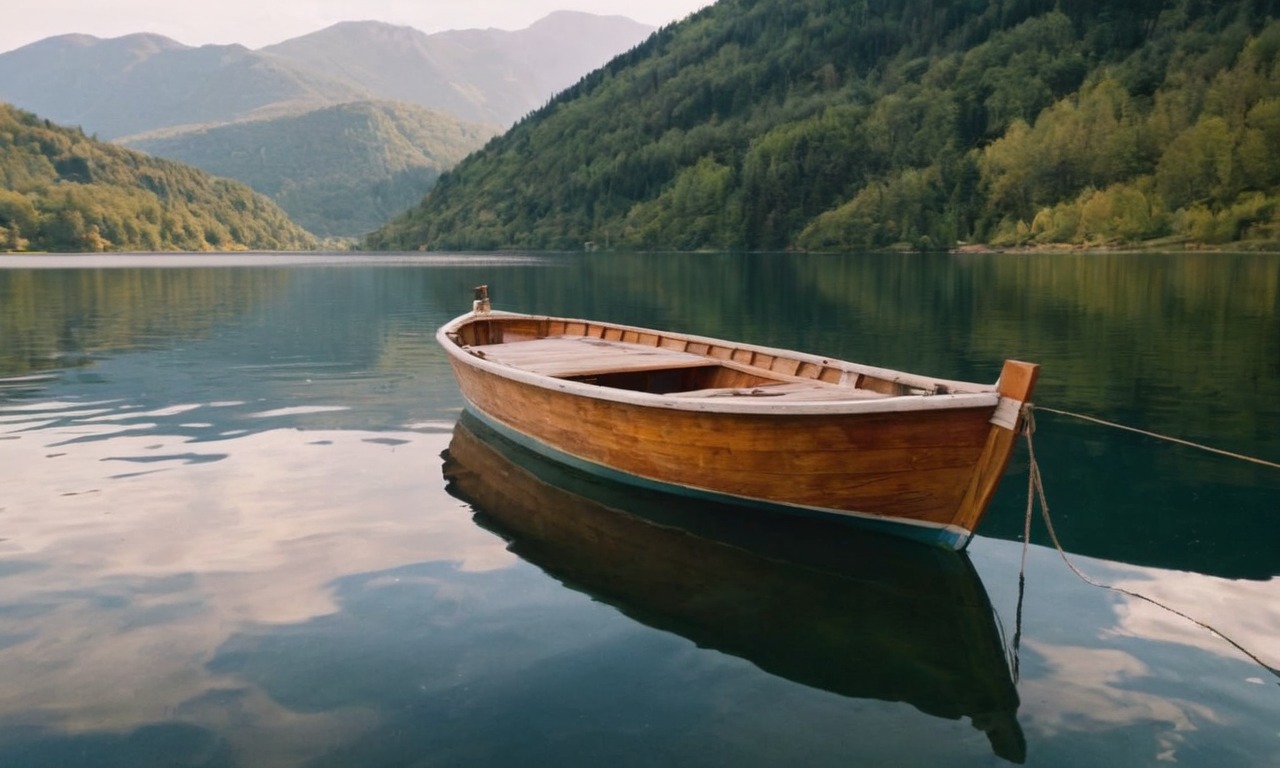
740	423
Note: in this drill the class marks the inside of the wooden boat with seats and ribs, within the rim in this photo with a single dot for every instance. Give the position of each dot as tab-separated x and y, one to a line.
646	362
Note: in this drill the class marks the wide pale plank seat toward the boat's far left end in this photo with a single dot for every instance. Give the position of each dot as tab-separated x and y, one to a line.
586	356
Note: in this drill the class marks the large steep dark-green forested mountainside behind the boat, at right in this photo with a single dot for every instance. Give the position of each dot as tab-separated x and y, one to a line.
835	125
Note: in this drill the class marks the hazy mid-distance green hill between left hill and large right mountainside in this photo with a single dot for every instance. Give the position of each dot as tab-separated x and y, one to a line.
339	172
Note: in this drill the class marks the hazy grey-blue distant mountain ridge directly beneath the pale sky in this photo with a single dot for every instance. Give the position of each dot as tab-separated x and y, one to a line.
143	83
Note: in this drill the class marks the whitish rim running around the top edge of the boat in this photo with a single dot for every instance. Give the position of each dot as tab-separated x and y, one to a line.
986	396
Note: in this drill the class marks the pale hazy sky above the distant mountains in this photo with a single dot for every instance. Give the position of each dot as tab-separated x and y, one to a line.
264	22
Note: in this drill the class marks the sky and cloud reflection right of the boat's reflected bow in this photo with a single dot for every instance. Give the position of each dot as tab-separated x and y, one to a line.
1112	679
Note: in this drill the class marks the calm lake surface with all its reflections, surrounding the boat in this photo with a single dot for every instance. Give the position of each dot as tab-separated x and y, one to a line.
241	527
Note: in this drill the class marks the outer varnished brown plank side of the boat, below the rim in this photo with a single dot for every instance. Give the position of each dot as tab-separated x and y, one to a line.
926	474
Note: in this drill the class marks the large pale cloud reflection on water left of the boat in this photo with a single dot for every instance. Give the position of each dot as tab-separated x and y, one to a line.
118	589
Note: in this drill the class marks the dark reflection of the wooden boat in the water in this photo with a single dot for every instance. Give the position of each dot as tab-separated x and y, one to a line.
829	607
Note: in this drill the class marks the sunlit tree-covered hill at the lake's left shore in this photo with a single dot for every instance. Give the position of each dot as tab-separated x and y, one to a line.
63	191
